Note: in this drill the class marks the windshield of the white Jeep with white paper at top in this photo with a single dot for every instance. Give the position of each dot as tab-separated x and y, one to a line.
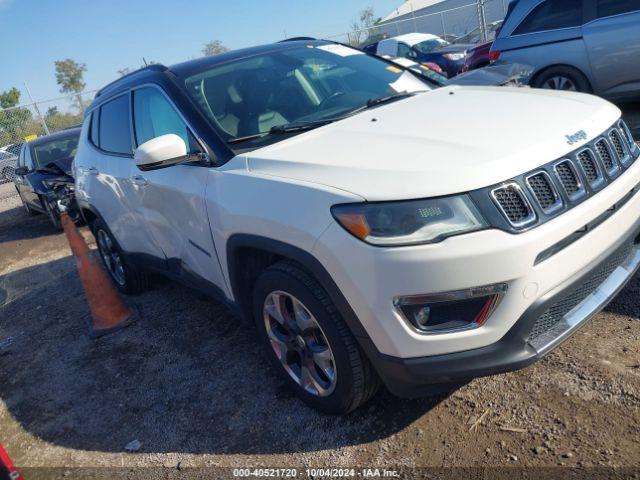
304	85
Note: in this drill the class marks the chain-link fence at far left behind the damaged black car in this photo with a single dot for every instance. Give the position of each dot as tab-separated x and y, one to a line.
26	122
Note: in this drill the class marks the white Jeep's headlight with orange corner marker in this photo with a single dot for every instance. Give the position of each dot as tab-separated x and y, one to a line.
410	222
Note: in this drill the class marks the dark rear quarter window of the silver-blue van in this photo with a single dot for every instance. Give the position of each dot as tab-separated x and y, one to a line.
552	15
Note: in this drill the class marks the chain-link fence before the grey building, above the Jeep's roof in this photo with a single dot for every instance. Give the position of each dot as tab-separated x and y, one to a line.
470	23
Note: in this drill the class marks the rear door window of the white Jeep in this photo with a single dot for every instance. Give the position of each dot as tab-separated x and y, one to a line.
114	131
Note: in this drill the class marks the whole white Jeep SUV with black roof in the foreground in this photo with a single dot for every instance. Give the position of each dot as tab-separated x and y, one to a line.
372	235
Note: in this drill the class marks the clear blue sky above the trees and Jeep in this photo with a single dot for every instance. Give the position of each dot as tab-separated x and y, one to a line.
108	35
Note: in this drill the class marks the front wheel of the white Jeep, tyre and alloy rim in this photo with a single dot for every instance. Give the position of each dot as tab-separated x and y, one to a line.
309	343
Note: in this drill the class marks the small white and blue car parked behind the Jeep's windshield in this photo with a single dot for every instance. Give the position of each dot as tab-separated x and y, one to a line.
424	47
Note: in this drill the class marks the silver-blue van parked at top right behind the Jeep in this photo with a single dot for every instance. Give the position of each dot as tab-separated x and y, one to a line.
584	45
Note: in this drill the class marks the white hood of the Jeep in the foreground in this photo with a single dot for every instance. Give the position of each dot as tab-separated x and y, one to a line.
445	141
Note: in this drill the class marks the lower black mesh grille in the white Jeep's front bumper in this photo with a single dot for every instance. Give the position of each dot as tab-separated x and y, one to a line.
556	313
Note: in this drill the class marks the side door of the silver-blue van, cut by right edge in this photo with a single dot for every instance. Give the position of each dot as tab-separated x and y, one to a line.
612	39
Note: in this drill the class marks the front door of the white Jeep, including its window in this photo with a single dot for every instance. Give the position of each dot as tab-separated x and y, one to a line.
172	199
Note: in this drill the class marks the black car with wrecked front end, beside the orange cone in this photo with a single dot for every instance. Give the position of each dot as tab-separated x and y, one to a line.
44	173
